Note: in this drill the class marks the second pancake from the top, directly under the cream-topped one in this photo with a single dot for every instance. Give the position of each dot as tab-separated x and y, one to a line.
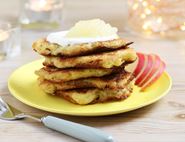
102	60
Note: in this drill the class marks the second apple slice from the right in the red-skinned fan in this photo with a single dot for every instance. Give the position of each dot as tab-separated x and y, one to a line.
155	67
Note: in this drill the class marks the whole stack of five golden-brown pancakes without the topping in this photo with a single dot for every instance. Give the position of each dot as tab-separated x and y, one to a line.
86	73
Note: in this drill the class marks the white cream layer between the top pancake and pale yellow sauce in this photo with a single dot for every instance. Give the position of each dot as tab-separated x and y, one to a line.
61	39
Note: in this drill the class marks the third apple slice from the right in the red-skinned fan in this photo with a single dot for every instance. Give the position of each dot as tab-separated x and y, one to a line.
147	69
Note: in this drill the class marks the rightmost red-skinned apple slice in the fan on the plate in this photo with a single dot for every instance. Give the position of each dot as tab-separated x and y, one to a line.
156	76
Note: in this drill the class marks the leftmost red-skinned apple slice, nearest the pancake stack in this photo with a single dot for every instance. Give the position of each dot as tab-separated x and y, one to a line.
142	63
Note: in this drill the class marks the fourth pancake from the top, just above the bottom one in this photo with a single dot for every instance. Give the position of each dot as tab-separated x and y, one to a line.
113	81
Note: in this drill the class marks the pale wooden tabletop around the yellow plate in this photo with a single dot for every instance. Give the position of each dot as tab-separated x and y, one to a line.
160	122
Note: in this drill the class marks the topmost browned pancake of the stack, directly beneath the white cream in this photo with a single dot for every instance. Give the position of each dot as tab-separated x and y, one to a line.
43	47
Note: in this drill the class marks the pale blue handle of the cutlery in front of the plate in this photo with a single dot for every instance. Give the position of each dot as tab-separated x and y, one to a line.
76	130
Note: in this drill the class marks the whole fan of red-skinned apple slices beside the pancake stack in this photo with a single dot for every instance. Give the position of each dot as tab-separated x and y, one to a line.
147	69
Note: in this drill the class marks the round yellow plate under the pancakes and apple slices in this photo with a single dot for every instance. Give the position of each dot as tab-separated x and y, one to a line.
23	85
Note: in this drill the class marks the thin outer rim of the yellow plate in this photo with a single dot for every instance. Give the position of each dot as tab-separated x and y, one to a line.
82	113
